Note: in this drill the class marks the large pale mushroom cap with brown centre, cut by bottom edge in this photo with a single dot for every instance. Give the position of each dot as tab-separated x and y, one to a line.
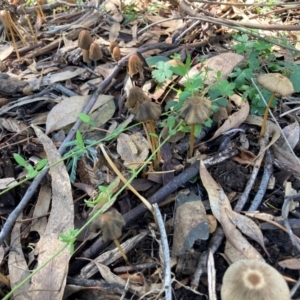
253	279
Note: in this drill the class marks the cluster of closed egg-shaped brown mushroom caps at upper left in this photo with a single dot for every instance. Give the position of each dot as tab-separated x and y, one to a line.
91	51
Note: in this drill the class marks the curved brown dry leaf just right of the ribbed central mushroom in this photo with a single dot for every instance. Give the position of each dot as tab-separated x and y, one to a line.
235	120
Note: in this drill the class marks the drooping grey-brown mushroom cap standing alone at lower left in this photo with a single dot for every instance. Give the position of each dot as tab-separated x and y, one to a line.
111	223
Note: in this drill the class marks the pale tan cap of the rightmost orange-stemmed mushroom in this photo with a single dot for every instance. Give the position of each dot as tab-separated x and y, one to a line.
276	83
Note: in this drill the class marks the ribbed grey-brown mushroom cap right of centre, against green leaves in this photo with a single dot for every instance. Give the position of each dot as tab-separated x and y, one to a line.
196	110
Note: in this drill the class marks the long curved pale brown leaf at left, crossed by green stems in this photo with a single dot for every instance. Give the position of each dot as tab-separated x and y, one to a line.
49	282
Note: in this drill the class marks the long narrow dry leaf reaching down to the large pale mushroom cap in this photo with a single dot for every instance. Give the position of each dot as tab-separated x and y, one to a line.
219	203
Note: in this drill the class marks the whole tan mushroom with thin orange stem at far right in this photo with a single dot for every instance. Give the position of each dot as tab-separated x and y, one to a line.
277	84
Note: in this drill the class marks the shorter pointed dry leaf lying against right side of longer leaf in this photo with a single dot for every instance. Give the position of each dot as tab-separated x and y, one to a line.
248	227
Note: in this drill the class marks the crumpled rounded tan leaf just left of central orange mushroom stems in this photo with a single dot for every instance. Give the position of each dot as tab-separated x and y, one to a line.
130	152
